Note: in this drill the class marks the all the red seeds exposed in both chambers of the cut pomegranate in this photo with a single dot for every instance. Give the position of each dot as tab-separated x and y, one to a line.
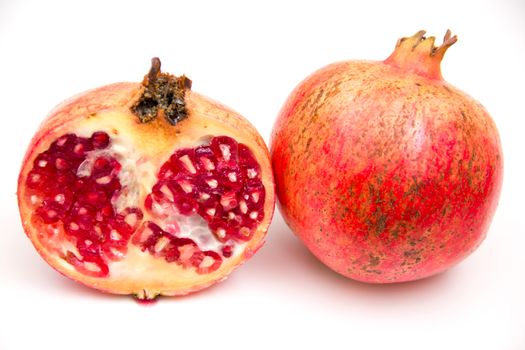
206	181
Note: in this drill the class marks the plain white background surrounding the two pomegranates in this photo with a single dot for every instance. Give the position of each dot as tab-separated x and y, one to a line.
250	56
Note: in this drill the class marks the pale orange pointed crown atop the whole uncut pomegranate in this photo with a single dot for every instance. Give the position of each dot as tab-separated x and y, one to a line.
419	54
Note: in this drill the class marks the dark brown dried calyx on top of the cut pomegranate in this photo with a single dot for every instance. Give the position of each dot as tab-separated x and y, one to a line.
163	94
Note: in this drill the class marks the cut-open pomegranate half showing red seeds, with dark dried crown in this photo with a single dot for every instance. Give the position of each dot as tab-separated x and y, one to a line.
146	189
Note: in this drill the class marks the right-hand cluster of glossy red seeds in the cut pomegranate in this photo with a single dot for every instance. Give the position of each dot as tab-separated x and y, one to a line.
209	181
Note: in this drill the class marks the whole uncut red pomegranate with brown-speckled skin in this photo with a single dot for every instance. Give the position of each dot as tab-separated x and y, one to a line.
386	172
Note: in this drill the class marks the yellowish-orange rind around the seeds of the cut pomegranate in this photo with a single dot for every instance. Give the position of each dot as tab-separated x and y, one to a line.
108	108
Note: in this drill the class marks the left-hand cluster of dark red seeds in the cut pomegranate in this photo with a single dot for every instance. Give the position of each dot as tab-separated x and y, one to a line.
75	197
